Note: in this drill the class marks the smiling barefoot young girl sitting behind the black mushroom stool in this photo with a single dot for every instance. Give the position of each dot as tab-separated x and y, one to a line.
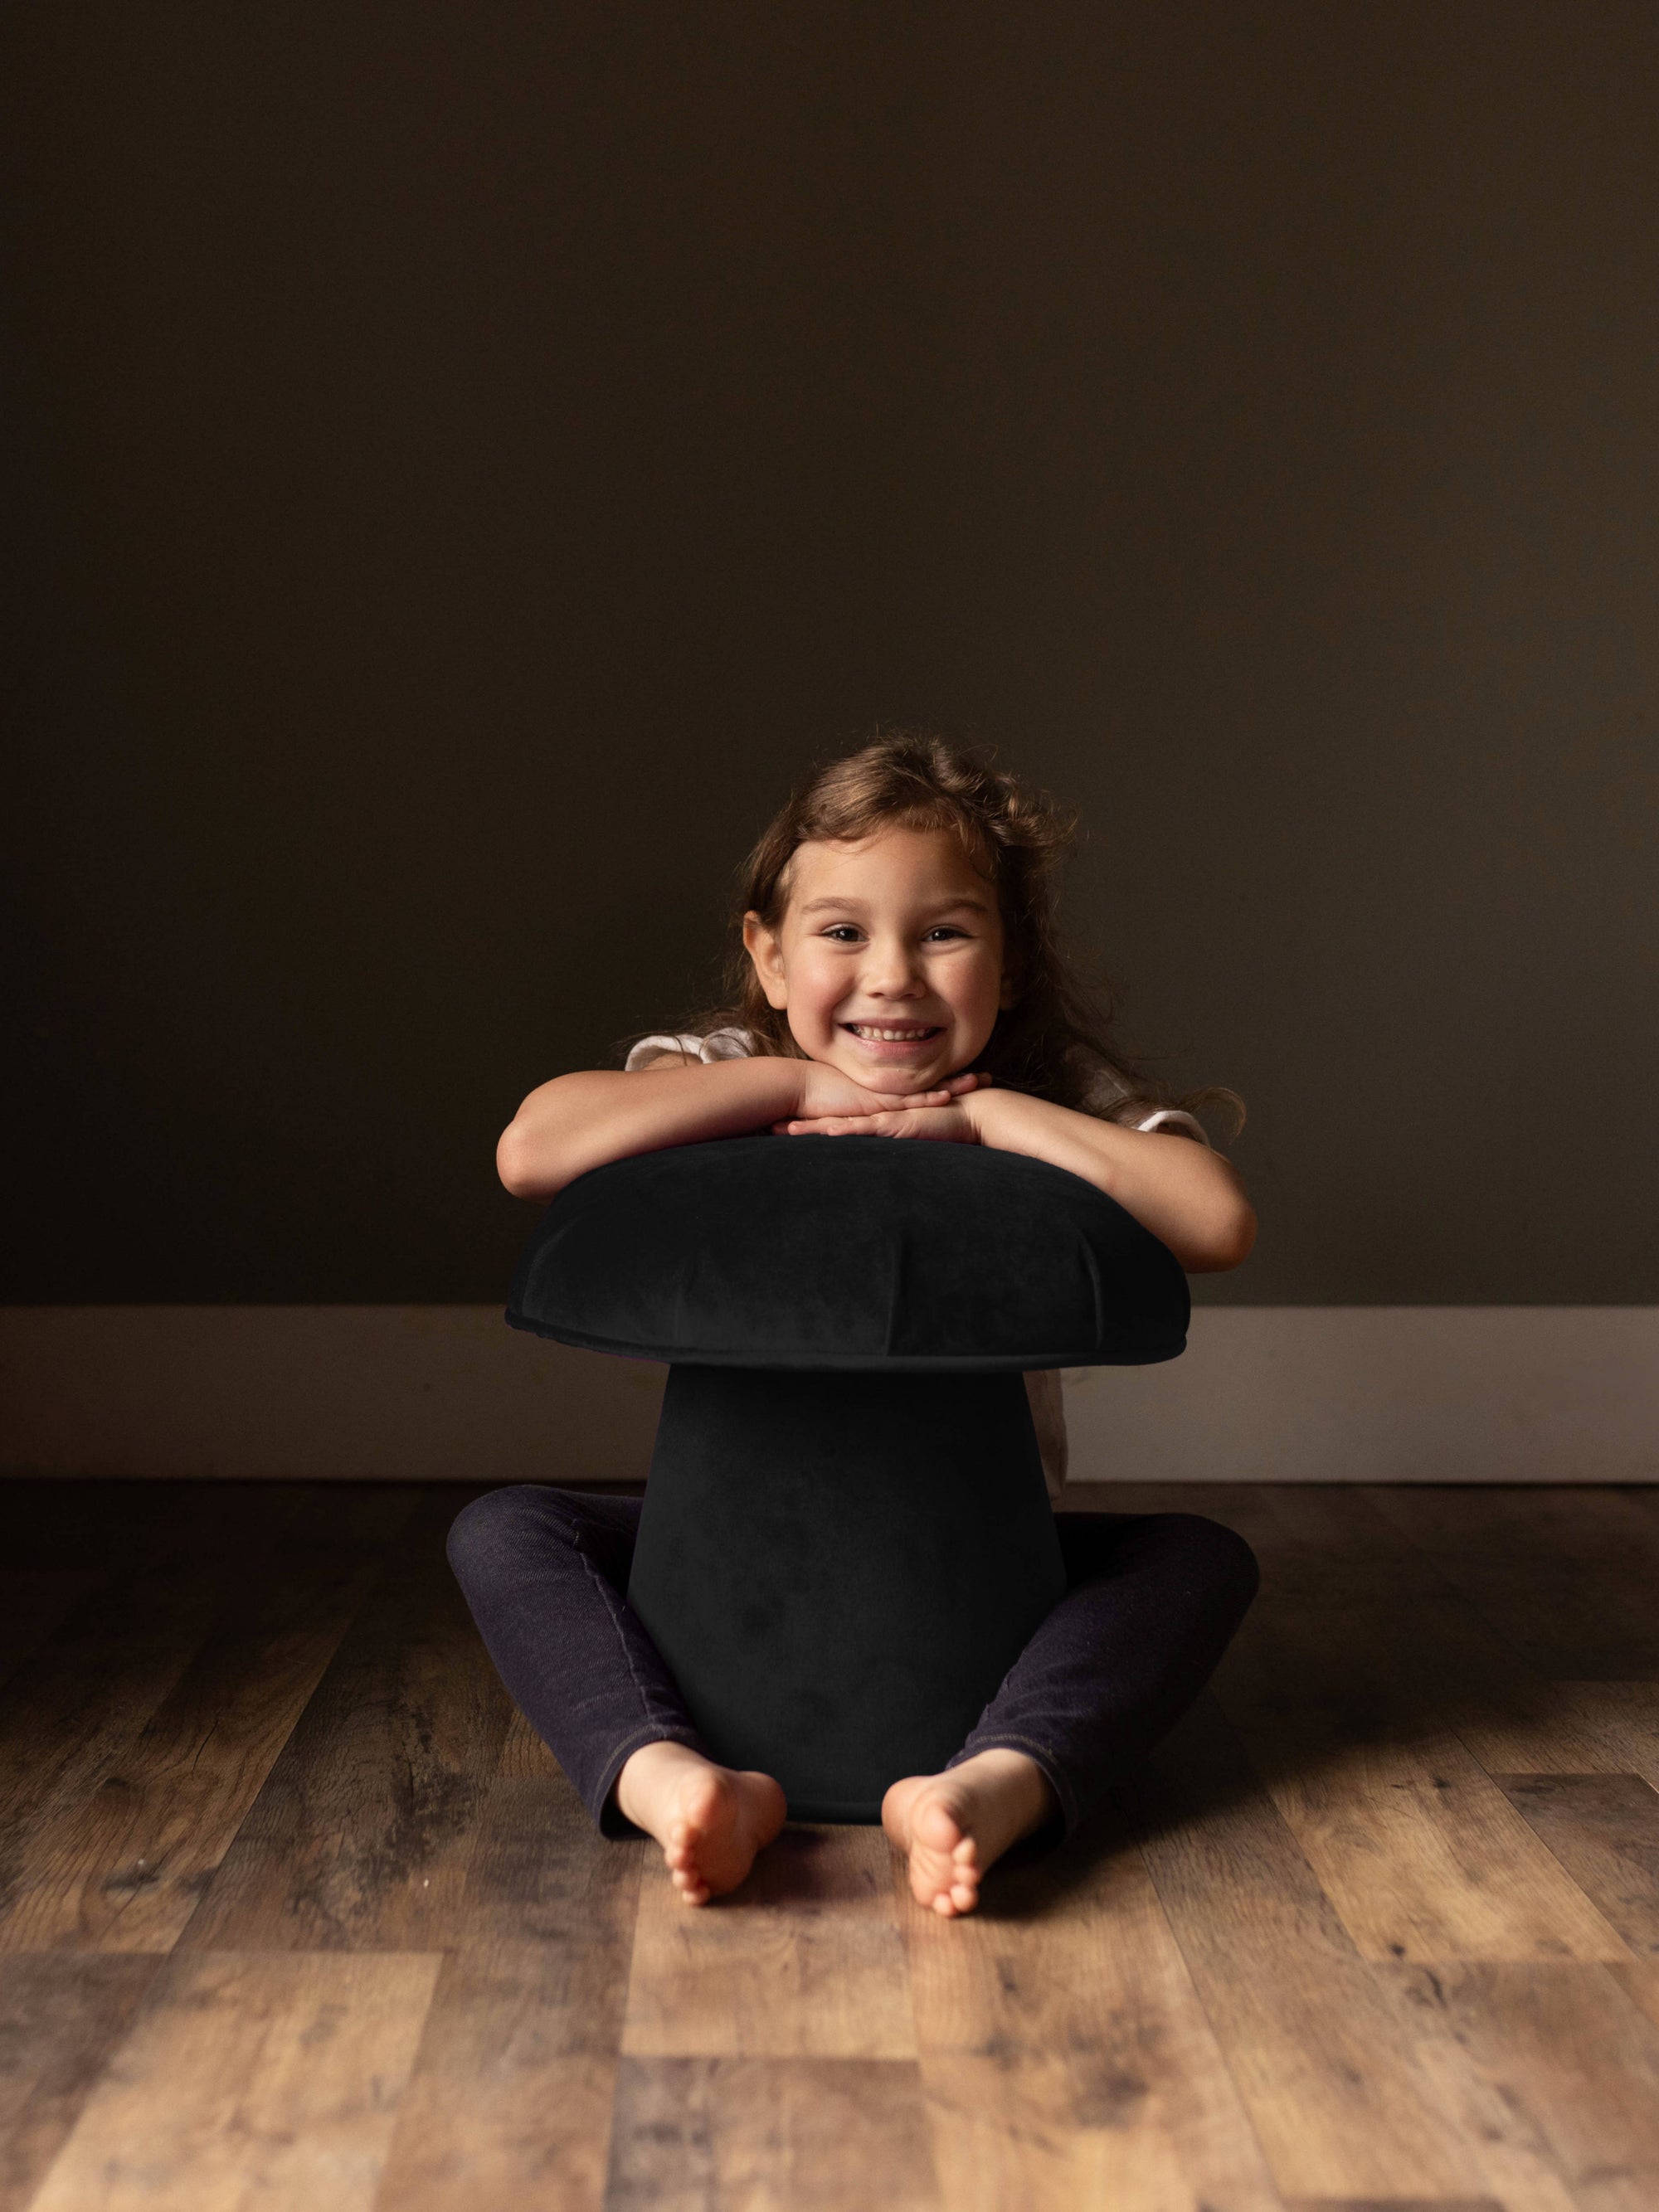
901	977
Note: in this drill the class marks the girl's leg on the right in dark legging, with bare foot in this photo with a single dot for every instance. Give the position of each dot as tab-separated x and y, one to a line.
1151	1605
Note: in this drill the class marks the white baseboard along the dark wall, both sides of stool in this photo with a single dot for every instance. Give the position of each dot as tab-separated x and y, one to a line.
452	1395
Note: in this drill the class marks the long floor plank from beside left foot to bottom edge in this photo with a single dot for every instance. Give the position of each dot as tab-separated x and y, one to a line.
512	2091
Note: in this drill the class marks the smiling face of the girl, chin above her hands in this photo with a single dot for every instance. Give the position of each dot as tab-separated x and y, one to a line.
888	961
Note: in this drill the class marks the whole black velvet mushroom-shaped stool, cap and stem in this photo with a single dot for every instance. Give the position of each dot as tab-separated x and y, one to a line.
846	1536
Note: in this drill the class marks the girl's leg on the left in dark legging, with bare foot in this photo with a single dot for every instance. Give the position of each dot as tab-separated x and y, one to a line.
545	1576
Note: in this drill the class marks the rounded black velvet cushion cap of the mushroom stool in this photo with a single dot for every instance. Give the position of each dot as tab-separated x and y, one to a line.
831	1253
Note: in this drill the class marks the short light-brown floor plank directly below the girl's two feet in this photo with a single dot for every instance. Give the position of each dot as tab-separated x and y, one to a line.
804	1961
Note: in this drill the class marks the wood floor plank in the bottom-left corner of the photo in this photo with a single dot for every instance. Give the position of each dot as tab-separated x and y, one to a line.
59	2023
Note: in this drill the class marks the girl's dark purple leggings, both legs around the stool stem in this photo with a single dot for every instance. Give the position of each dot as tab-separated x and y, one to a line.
1151	1605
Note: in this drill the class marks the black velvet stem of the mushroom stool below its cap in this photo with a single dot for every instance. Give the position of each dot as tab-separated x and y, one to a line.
842	1567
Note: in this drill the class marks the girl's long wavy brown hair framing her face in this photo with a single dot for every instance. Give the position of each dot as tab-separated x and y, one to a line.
1058	1039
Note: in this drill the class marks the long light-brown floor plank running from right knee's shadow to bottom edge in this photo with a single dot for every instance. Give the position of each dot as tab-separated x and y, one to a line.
1346	2091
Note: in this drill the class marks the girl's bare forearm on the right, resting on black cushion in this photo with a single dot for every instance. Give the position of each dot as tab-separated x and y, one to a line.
1185	1193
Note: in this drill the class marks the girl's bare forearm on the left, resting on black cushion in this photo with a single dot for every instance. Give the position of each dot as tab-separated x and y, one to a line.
592	1118
